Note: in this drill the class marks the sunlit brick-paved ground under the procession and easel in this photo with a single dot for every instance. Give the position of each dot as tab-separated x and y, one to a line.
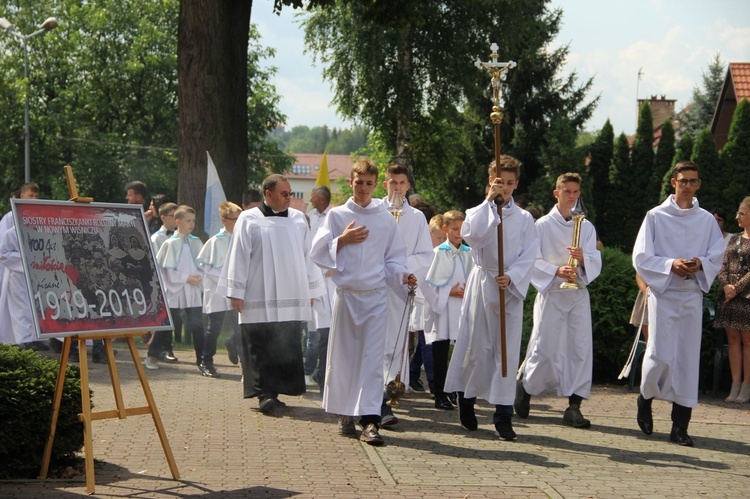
225	448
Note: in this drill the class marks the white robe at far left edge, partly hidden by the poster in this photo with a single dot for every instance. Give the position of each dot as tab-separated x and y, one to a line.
16	319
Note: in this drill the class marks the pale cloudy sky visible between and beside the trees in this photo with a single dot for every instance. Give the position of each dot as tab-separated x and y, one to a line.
671	40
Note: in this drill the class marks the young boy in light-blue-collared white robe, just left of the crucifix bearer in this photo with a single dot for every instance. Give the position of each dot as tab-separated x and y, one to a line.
446	281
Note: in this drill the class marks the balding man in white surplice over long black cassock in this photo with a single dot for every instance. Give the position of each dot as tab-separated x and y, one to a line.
270	280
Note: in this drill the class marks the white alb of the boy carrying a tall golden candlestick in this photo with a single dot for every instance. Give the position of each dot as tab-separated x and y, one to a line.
560	353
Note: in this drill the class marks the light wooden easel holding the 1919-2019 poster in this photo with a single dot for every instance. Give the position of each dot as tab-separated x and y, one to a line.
121	411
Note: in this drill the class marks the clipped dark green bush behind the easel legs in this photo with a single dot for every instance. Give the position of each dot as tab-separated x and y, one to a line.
27	387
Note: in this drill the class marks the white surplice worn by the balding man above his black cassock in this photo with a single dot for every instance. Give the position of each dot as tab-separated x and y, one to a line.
268	267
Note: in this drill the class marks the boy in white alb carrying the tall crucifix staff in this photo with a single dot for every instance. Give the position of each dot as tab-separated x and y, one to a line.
475	370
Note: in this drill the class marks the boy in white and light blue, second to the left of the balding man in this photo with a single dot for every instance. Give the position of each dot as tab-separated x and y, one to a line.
177	258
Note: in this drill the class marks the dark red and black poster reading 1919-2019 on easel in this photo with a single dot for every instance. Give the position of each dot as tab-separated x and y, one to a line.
90	268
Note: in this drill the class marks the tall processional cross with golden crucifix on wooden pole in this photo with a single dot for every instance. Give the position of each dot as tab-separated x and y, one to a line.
497	70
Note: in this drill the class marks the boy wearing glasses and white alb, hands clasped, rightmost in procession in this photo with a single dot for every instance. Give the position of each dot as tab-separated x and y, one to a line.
678	252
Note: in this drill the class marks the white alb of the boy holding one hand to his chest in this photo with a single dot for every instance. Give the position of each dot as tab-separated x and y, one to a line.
363	273
